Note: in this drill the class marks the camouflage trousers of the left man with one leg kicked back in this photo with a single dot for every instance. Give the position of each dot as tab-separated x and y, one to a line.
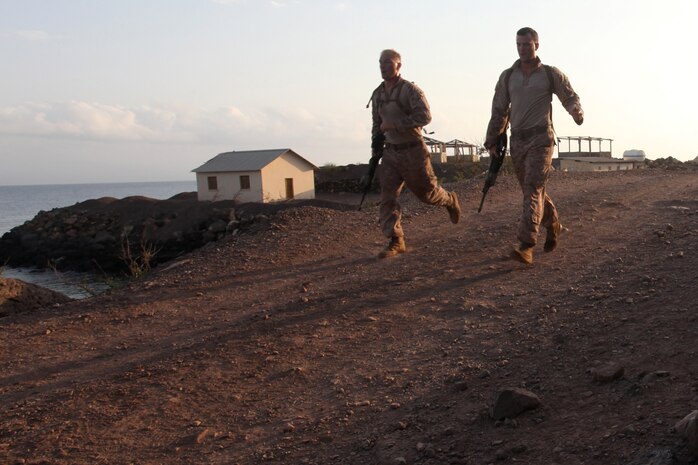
412	168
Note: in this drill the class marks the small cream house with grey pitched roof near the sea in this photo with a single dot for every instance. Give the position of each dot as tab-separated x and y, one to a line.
256	176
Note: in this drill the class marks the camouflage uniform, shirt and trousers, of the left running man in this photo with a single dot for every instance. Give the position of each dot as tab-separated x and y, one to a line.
406	158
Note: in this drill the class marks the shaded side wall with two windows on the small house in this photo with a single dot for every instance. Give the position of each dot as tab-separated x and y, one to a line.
229	187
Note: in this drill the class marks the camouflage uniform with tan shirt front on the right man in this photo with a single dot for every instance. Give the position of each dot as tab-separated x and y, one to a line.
526	104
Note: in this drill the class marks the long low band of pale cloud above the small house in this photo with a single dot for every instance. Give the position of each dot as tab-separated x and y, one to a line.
171	123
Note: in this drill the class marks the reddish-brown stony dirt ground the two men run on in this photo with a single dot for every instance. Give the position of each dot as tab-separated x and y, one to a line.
293	344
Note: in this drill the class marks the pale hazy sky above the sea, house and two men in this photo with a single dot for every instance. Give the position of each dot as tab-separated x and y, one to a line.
146	90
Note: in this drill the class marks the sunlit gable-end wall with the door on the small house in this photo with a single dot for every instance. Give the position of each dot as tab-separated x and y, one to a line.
274	177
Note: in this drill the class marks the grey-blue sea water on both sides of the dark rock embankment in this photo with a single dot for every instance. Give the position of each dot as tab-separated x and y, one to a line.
19	204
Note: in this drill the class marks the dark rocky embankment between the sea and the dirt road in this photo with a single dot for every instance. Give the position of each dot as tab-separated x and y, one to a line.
111	235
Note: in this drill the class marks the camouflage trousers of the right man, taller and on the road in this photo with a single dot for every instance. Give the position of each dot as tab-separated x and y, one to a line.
532	161
